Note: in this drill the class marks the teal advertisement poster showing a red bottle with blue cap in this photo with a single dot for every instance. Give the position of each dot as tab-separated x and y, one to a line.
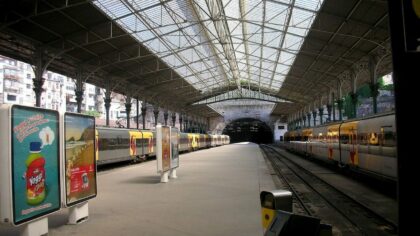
35	163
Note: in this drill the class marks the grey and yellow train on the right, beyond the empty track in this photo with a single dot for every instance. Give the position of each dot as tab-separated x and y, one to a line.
366	145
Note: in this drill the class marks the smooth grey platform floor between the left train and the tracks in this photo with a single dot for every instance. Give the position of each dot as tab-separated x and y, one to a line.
216	193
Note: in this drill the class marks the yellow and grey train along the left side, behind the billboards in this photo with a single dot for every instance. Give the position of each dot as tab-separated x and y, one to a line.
119	144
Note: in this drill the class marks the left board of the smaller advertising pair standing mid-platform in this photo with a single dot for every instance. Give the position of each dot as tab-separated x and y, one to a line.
163	148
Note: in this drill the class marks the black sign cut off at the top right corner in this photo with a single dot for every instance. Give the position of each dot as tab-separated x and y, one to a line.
411	21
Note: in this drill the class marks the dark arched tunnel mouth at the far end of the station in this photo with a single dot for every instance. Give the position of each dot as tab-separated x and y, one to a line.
248	130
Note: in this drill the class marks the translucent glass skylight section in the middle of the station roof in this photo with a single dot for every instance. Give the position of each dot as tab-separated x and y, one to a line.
217	43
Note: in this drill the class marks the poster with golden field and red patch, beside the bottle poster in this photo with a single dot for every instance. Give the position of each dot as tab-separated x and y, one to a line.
80	161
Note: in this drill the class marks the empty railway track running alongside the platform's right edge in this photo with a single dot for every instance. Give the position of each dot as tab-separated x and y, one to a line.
315	197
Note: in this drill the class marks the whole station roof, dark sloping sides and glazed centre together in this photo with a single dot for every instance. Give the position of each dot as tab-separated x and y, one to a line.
187	54
